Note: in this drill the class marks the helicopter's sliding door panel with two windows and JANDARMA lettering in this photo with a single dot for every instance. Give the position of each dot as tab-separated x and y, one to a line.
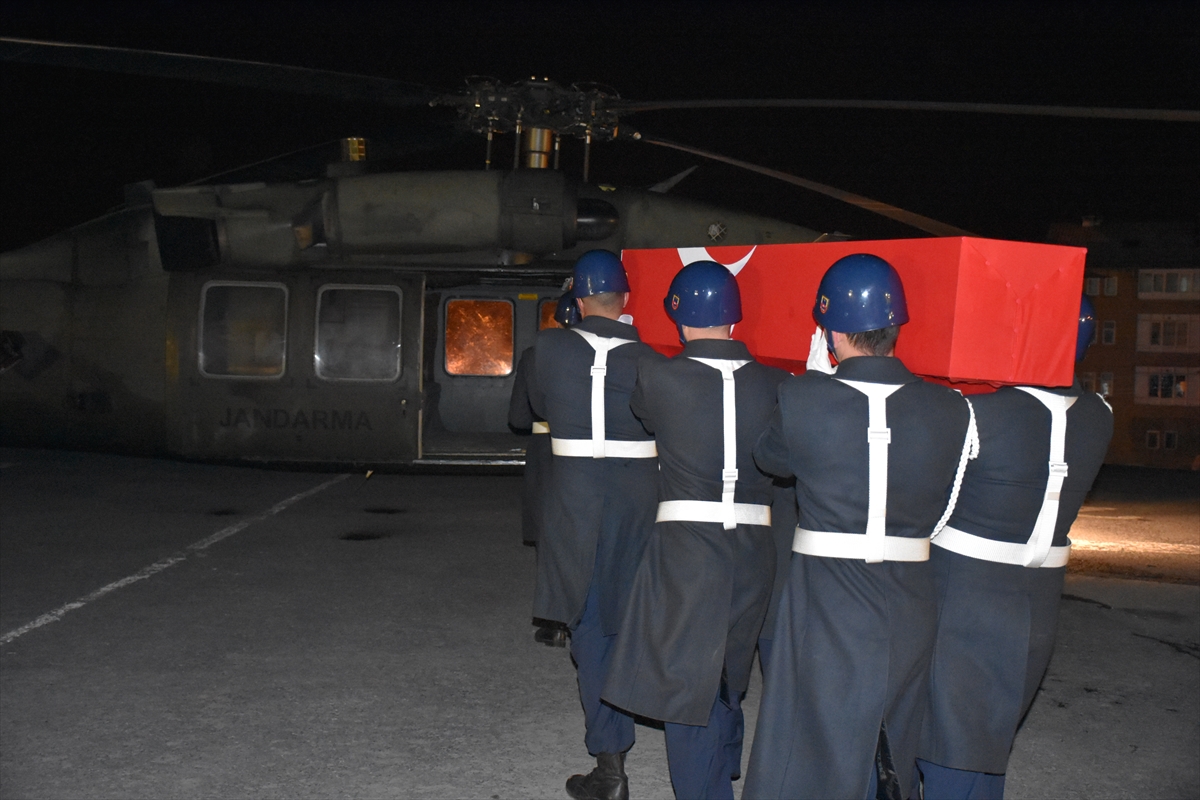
310	369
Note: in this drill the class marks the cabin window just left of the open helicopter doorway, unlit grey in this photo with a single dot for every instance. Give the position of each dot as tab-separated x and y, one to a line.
358	333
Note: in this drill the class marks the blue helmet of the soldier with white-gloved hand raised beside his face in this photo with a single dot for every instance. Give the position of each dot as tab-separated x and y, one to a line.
861	293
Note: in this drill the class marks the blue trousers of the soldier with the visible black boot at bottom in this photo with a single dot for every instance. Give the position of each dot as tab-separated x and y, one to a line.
609	731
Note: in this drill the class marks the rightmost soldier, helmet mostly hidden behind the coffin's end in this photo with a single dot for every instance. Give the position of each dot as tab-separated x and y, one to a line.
999	568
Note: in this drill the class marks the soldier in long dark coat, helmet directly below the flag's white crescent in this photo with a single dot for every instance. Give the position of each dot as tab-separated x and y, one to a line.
687	641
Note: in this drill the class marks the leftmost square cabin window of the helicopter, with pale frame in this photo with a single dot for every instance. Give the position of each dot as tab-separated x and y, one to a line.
244	330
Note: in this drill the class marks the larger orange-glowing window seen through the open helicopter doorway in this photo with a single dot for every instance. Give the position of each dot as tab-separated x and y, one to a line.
479	338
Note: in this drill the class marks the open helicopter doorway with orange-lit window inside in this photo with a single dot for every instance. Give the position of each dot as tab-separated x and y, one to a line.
482	334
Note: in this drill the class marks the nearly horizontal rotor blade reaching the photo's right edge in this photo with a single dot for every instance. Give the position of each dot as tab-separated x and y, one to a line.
1151	115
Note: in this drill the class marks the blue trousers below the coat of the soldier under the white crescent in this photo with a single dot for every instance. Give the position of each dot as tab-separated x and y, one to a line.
705	760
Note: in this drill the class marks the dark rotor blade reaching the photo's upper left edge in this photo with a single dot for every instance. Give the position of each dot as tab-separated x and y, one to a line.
253	75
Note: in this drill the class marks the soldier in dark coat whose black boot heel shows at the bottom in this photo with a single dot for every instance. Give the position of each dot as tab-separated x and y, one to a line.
601	500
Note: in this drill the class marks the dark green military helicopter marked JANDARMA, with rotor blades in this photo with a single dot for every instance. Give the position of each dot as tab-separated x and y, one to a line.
352	317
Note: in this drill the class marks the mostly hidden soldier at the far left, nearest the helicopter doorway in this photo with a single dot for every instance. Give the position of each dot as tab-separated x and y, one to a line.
524	420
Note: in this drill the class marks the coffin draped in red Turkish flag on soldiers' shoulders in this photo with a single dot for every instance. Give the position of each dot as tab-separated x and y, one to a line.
982	312
